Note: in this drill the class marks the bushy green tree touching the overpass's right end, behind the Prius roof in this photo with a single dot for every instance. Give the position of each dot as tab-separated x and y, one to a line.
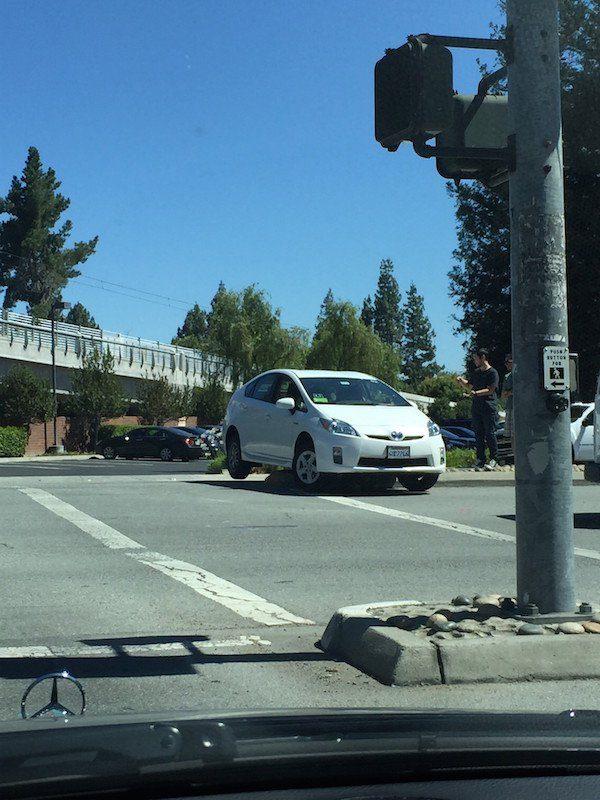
245	330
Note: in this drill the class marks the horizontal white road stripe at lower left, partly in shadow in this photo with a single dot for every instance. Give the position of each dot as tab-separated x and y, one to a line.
82	650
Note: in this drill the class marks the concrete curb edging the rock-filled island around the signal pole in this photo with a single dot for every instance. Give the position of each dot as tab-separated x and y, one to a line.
397	657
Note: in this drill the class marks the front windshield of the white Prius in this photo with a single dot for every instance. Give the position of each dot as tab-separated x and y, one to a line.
346	391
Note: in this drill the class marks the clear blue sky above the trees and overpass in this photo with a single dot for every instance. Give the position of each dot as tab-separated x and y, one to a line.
229	140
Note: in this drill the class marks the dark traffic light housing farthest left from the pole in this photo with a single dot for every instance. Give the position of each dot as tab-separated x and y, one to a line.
413	93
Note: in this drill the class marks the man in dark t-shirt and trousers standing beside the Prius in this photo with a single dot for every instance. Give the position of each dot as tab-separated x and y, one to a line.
484	391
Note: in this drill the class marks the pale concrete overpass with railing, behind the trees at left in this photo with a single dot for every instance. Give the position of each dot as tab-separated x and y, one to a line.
26	341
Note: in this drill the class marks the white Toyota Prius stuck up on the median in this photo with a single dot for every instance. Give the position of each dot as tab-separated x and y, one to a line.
319	422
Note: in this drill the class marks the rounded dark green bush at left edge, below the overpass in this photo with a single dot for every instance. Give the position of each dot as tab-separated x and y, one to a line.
25	398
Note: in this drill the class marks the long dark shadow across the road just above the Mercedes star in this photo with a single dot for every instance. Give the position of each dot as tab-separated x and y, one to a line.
122	663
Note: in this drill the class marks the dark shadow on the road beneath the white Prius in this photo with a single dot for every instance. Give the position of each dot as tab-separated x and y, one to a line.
283	484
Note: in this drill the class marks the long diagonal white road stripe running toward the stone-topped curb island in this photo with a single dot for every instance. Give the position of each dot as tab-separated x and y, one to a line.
204	583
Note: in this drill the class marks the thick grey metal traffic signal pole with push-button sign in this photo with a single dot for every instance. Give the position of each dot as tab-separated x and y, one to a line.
543	468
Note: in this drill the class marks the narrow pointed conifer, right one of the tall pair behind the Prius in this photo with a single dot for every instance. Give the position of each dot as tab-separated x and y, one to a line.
418	344
